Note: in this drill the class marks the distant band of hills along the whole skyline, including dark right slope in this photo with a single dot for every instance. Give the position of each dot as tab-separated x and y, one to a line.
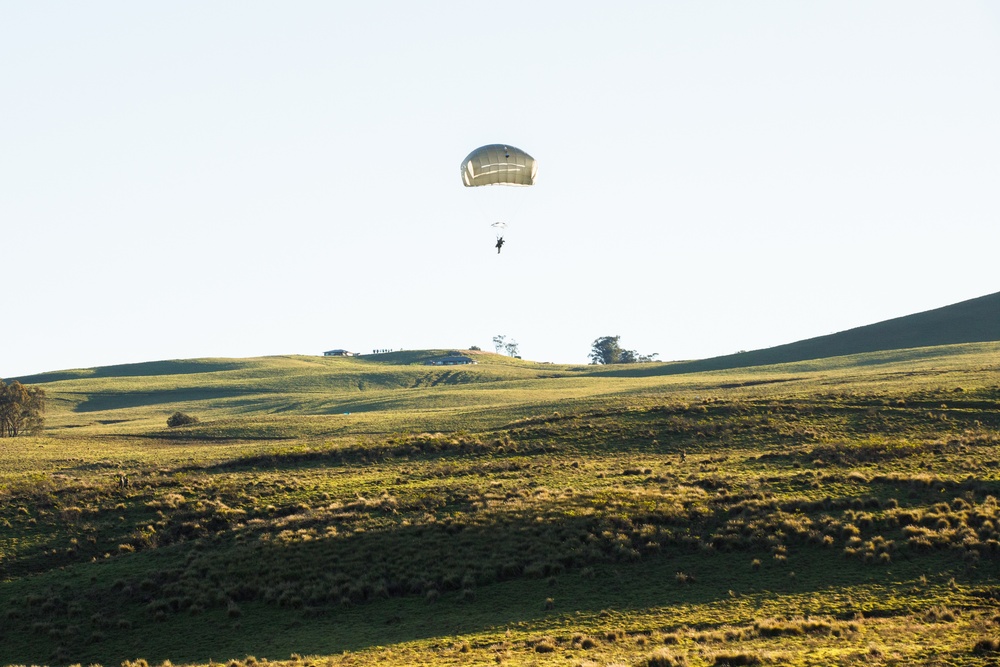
376	391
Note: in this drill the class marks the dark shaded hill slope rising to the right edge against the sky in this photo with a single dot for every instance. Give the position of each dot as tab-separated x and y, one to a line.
973	321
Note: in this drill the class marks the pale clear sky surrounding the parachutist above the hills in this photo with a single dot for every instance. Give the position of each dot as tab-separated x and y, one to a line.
237	179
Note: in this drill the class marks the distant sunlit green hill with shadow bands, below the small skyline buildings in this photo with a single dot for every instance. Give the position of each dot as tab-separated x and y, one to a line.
137	397
